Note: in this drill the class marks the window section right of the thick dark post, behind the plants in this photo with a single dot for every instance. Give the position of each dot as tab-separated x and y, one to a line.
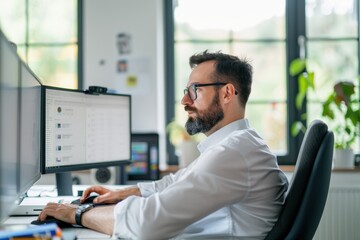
332	48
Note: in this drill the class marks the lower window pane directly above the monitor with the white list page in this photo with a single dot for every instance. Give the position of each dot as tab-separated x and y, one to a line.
55	66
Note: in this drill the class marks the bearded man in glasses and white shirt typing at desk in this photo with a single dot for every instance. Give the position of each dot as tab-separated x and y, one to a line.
233	189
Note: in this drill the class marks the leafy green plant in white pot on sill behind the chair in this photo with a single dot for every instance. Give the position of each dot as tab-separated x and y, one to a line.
341	108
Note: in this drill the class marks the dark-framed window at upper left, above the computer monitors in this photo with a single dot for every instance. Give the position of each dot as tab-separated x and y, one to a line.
46	36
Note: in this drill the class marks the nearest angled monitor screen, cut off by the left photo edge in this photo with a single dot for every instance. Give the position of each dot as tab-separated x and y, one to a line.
9	126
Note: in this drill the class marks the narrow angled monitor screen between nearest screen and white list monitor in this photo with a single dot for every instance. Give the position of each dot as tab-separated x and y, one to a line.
30	112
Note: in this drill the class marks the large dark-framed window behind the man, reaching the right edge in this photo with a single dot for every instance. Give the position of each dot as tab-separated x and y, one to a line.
267	33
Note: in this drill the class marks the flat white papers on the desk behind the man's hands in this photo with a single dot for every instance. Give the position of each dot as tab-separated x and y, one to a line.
32	206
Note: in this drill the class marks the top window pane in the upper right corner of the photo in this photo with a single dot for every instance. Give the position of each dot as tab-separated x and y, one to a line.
328	18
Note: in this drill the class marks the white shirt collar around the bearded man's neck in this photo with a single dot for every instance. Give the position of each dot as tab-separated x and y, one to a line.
220	134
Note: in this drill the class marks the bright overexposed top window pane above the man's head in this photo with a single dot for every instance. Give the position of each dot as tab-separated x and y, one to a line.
247	19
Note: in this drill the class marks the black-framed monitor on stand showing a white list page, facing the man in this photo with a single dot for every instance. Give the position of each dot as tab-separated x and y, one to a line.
83	131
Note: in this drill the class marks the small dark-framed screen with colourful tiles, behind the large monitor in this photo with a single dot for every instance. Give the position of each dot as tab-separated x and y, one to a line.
145	157
